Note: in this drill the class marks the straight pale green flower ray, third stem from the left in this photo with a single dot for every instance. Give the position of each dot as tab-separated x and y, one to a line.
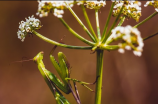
80	22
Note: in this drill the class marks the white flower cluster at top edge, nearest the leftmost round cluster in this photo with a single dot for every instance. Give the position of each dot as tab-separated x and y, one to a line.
45	7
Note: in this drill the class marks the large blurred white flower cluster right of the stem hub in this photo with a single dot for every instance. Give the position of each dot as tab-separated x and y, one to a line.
131	39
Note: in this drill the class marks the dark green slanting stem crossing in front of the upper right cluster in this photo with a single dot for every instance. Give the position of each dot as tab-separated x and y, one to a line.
117	18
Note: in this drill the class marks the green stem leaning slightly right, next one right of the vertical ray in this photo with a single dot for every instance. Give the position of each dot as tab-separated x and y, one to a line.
108	20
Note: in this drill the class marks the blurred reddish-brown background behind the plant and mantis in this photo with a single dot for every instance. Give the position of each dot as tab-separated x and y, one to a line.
127	79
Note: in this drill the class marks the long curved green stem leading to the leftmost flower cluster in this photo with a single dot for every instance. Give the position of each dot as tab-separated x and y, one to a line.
60	44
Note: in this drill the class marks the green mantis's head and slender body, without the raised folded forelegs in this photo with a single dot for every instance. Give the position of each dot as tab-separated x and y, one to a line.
50	79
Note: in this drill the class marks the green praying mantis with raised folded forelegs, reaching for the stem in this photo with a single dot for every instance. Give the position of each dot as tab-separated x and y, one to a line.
63	69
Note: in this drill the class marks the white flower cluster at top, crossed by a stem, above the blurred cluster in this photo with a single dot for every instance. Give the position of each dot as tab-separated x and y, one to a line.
131	9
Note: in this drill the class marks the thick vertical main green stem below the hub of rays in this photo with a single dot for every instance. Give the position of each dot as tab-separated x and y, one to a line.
99	74
